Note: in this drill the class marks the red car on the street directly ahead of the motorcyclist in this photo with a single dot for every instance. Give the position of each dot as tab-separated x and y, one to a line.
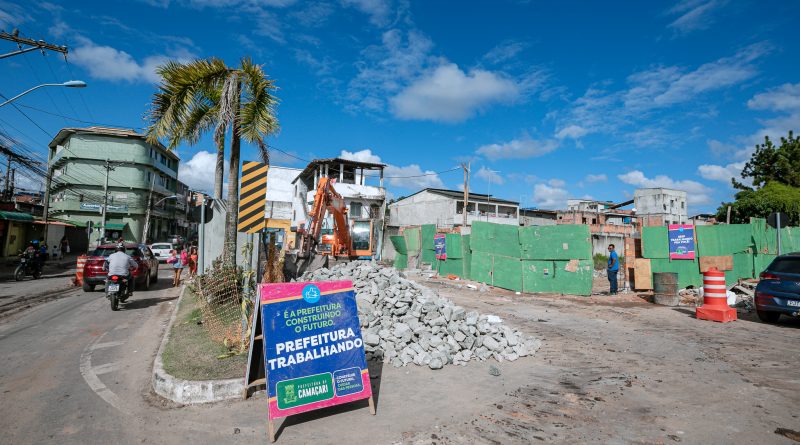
145	274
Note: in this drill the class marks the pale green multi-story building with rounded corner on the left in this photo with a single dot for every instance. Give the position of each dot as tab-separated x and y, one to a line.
83	159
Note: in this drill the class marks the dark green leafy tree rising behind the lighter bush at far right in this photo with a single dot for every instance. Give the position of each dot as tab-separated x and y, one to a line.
770	163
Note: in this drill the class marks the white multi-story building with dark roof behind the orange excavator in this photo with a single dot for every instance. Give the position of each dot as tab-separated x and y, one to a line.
361	187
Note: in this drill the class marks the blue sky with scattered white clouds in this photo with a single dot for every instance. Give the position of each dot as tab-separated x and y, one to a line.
548	100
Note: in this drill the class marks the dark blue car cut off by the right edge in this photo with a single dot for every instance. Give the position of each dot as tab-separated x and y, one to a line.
778	291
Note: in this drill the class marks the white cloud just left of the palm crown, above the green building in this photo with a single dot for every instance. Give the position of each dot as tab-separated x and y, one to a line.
107	63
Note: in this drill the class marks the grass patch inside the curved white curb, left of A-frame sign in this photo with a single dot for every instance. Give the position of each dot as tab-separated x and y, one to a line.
190	354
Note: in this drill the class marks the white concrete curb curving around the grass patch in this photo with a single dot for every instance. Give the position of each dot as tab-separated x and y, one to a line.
189	392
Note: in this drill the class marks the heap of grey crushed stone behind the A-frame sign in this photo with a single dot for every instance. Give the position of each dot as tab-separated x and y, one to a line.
404	322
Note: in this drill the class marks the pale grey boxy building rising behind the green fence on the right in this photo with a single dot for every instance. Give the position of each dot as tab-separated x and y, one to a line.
660	206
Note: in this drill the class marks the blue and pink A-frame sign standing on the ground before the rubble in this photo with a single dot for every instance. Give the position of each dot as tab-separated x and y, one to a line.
313	351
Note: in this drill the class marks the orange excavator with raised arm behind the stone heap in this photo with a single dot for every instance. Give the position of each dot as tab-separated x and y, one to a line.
316	250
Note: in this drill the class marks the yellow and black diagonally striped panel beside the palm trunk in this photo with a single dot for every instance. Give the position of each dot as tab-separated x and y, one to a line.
253	197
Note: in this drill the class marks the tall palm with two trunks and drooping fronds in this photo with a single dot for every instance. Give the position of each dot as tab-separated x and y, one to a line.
199	96
